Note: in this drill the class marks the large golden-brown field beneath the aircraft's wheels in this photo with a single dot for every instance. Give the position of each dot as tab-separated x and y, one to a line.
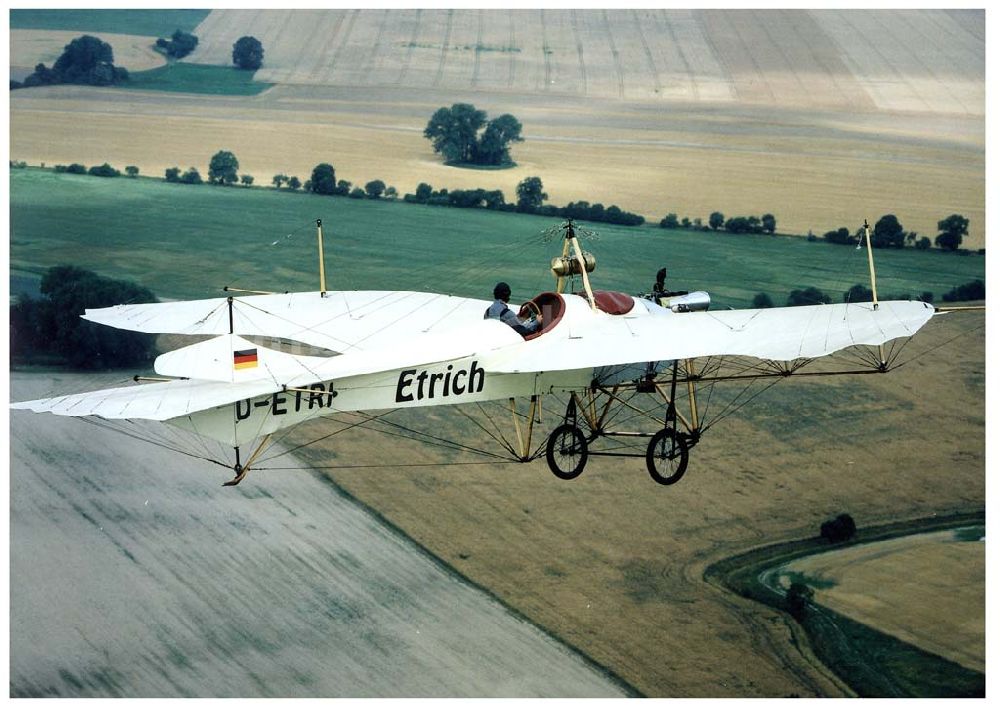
613	563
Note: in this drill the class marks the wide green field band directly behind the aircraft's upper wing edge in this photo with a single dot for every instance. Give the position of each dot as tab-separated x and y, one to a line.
185	241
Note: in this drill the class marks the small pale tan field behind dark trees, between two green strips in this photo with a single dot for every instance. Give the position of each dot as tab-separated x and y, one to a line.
29	47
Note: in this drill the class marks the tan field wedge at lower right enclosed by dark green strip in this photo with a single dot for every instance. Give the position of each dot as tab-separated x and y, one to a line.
928	590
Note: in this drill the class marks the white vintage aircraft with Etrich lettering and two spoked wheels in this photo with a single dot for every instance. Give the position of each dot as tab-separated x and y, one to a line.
600	352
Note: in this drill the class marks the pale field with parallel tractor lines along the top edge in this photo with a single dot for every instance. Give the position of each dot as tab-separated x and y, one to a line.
846	59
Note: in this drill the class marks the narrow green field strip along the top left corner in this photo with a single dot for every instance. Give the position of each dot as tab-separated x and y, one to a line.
151	23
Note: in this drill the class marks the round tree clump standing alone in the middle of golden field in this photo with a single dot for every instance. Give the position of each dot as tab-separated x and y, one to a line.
463	136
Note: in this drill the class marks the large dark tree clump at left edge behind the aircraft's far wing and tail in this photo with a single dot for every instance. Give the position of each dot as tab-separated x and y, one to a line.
51	326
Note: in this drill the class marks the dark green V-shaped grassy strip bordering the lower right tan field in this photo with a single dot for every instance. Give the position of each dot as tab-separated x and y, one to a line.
833	638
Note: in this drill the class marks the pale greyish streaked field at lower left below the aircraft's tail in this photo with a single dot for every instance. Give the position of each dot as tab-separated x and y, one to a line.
133	573
